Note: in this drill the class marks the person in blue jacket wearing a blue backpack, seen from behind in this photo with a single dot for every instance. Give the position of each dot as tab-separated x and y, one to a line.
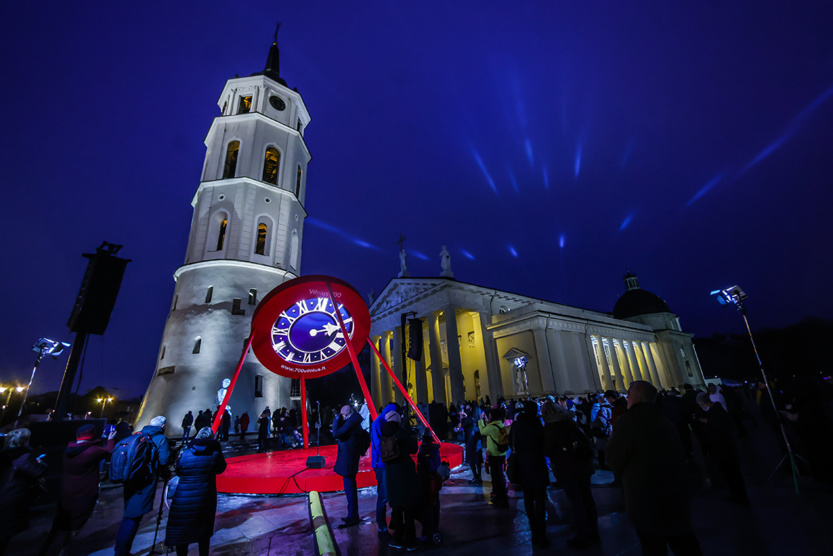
139	493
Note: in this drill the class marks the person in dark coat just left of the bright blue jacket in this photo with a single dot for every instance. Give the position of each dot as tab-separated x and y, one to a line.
347	430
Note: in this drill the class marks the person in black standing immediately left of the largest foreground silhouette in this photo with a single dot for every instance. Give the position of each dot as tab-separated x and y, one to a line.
571	456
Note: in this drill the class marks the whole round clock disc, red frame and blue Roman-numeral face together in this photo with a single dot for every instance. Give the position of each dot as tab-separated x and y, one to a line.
297	330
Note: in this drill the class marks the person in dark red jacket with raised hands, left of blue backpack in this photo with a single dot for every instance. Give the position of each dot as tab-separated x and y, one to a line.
79	493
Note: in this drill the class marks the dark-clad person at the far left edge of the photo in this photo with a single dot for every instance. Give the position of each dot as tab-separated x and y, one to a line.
22	472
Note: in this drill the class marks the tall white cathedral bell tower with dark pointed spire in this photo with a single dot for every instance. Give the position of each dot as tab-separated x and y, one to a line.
245	239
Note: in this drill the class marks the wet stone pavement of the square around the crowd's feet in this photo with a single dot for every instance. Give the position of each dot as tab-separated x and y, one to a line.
778	521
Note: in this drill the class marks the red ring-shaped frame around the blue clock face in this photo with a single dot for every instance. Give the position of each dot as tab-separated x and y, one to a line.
288	294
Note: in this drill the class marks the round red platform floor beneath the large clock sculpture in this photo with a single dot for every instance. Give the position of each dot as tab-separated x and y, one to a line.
286	472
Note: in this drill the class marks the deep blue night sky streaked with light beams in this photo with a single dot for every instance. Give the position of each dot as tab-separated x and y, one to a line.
552	146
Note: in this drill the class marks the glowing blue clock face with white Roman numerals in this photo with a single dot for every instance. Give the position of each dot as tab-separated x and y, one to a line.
308	333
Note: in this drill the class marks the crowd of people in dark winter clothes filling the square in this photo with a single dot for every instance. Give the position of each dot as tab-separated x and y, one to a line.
646	438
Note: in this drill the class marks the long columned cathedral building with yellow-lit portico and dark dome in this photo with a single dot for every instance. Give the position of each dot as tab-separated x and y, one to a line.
505	345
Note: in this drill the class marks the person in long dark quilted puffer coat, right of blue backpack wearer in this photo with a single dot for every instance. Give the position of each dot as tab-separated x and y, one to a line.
194	504
